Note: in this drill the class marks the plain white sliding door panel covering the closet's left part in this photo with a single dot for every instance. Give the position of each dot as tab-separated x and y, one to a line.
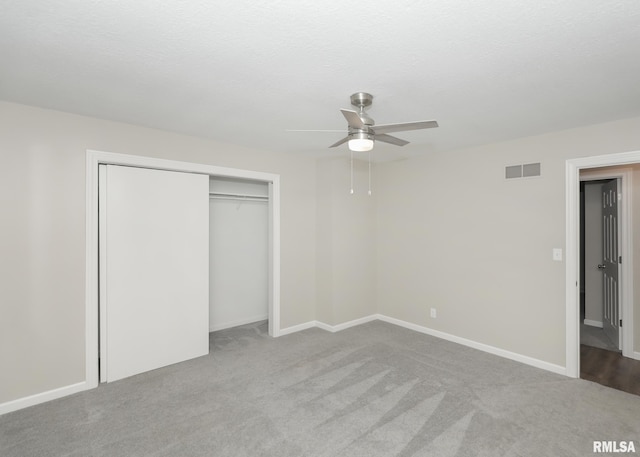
154	278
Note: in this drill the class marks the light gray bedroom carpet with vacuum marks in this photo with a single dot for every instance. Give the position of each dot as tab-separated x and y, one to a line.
372	390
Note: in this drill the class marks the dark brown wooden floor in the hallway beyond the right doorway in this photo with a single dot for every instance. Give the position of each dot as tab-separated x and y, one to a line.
610	369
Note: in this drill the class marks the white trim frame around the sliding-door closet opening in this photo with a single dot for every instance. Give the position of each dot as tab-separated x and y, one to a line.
95	158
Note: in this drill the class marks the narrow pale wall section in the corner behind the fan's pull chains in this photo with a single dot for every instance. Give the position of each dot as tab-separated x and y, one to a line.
346	242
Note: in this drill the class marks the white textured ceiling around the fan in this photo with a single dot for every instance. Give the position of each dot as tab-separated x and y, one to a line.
246	71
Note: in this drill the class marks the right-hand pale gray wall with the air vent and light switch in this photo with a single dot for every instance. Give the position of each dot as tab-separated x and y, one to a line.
455	235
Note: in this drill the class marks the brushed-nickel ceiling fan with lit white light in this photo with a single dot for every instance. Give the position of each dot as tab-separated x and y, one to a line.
362	131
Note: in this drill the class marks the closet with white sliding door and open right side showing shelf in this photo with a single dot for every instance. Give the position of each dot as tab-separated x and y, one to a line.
180	254
